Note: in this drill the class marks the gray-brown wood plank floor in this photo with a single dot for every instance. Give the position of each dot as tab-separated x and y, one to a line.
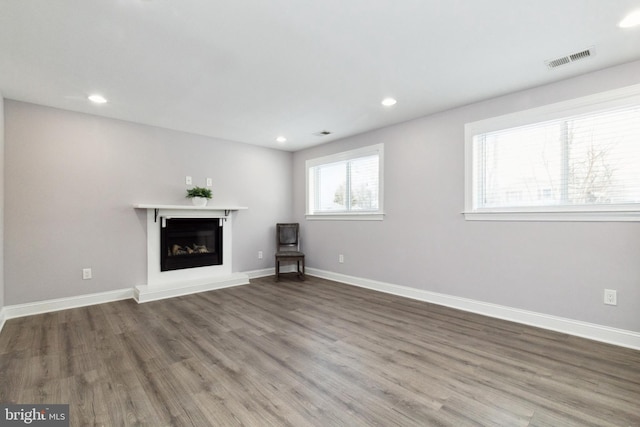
313	353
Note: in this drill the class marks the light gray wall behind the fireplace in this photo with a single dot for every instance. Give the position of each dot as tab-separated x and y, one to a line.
71	181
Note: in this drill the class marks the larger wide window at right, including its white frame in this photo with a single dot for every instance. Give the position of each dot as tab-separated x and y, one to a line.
577	160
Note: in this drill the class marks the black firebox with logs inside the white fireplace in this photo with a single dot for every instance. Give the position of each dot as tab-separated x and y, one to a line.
190	243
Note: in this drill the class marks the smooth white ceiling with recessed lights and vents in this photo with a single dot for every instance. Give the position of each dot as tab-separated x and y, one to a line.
251	70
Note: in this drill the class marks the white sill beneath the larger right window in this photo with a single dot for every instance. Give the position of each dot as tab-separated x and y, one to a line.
557	215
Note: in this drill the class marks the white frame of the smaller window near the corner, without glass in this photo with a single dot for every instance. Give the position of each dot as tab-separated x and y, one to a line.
377	215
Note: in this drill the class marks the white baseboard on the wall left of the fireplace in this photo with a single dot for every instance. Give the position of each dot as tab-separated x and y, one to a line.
47	306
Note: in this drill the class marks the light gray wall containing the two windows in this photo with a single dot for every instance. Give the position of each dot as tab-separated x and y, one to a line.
557	268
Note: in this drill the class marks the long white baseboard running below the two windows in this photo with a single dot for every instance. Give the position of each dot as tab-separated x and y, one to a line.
578	328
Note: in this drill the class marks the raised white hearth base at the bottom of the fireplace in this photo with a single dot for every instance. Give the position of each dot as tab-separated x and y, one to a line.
144	293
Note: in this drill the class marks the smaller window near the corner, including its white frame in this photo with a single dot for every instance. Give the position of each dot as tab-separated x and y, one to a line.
346	185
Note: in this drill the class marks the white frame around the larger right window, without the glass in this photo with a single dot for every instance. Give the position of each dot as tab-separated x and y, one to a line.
625	96
